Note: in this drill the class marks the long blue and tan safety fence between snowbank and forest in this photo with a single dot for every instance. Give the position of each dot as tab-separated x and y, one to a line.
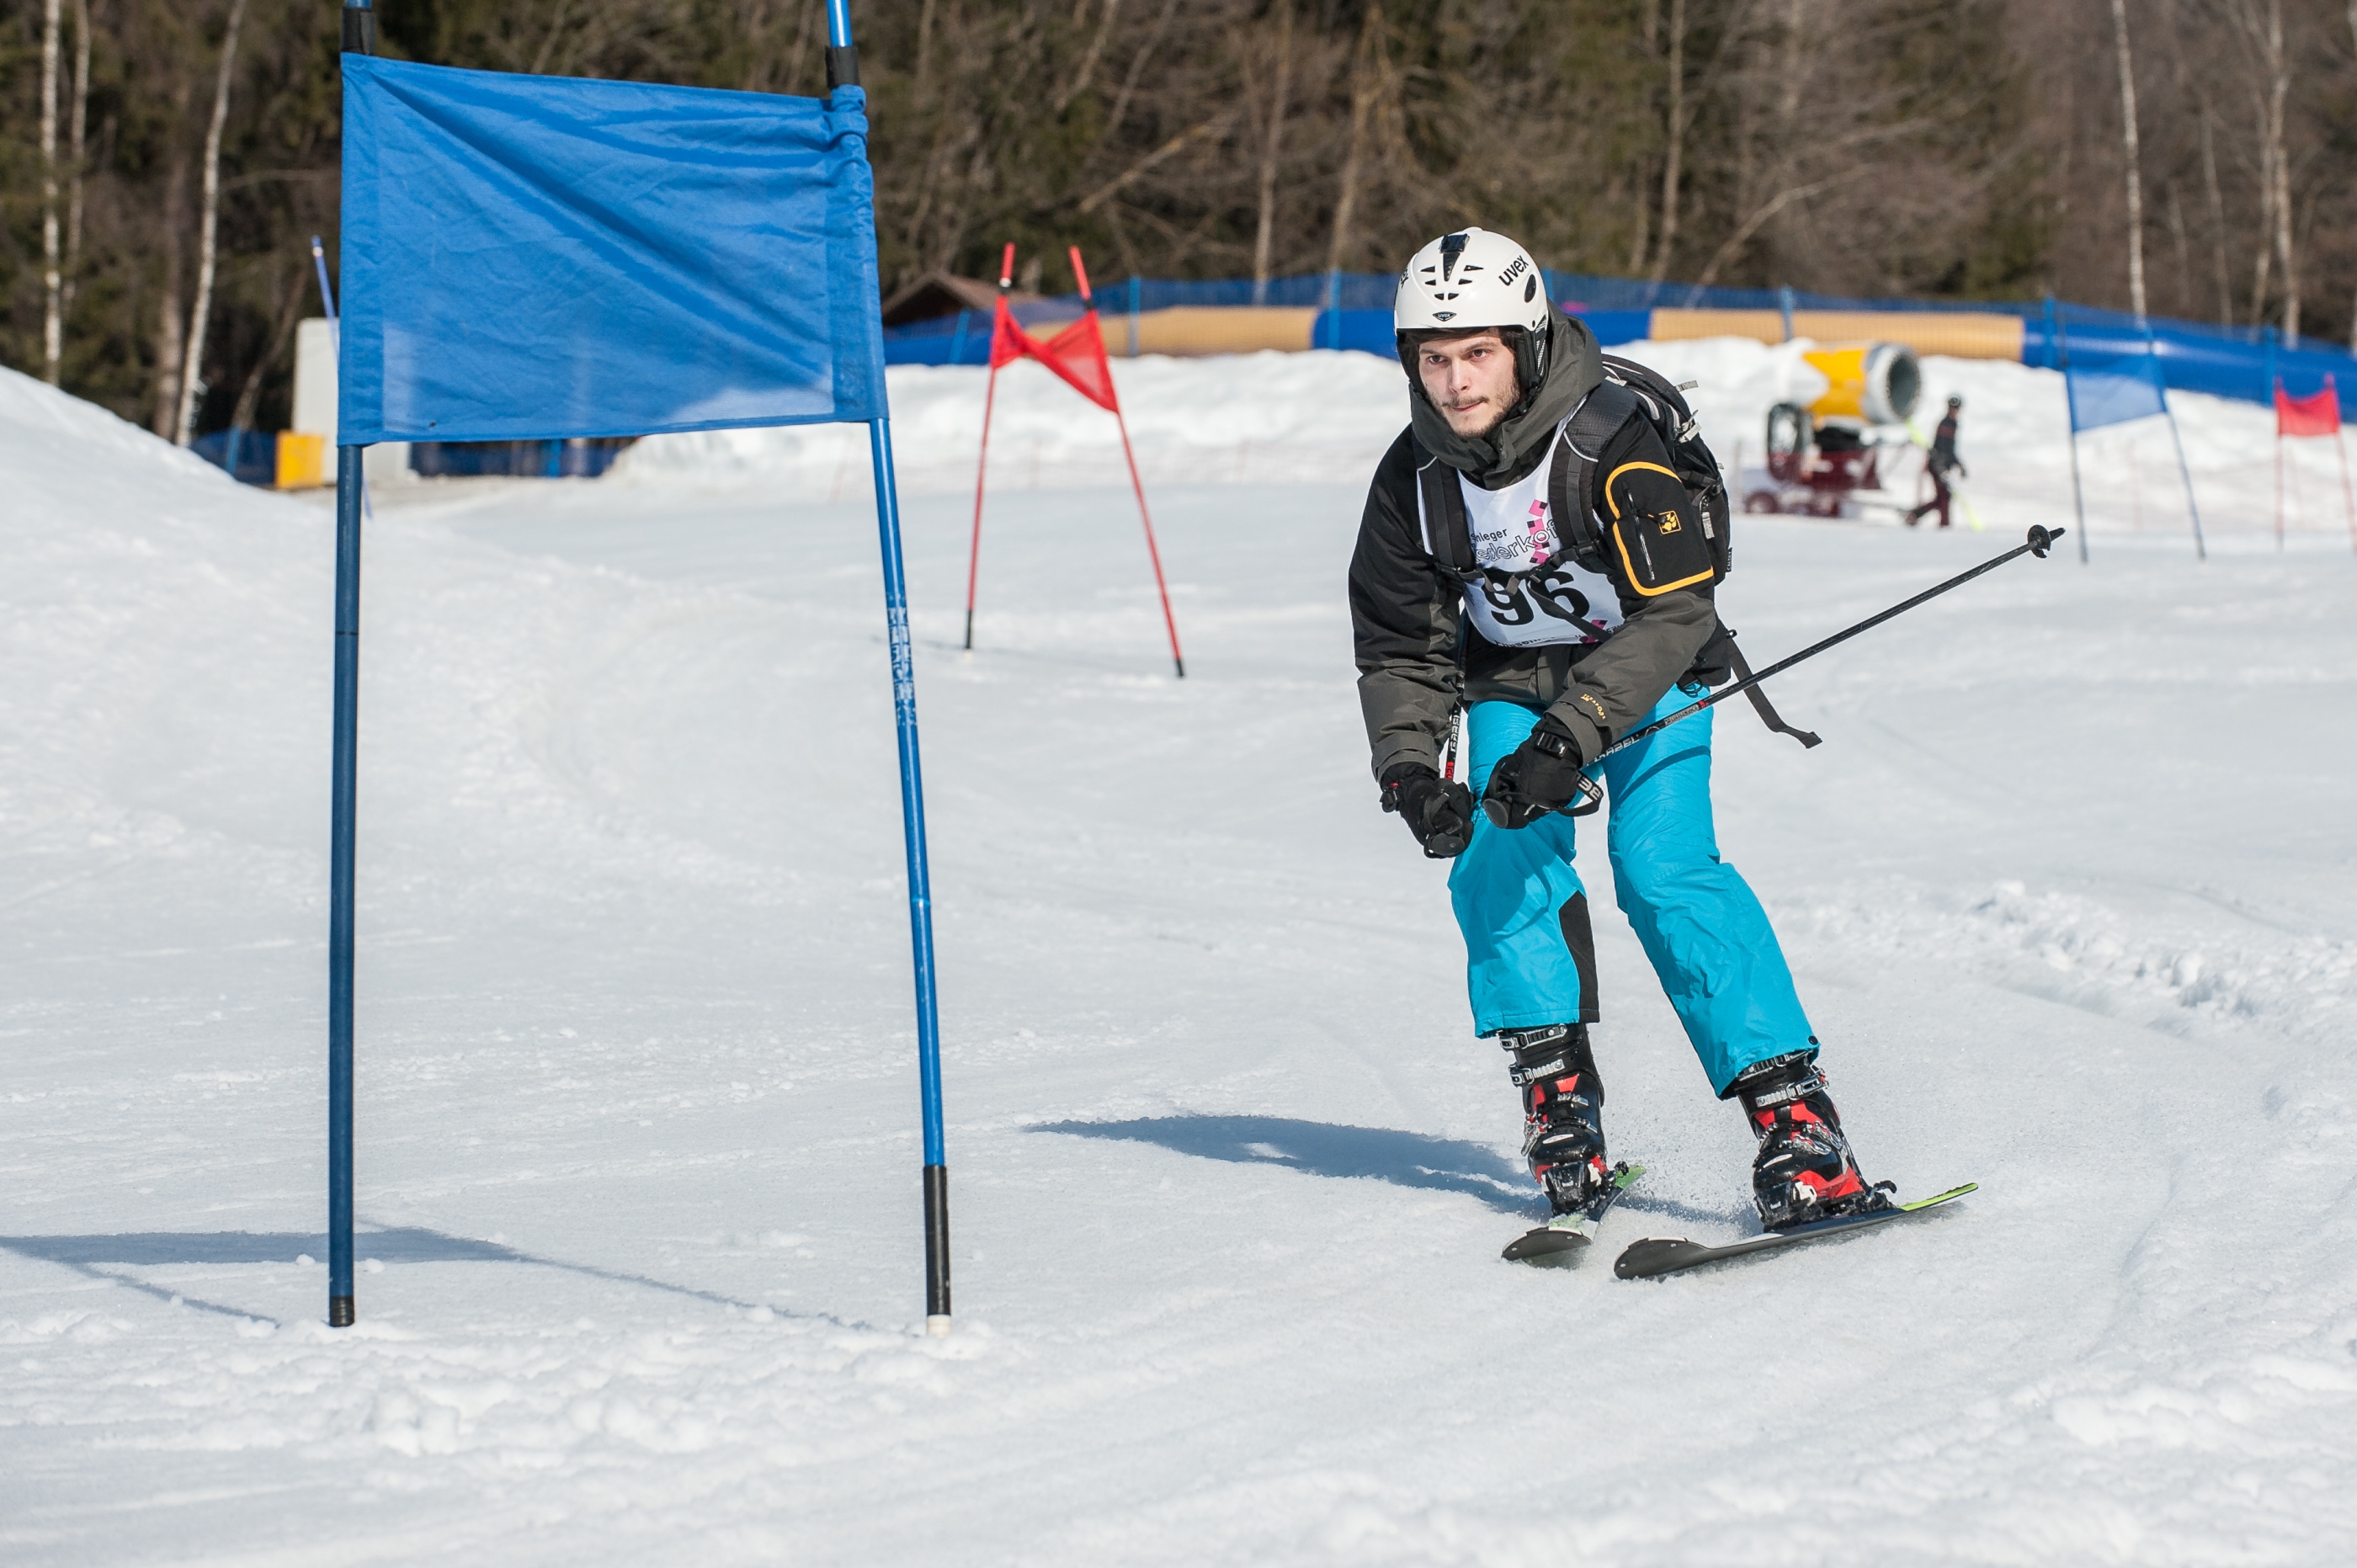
1354	312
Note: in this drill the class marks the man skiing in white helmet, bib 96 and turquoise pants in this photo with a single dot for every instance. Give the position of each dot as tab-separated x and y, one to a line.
1531	553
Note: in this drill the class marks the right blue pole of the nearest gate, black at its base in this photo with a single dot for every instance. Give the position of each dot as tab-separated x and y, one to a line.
845	72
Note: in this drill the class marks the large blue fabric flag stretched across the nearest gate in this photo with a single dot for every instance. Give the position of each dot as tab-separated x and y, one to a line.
532	258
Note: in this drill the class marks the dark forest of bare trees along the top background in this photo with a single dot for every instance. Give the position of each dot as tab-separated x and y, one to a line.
164	166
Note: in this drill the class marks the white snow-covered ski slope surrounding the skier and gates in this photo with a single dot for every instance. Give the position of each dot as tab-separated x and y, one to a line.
2068	895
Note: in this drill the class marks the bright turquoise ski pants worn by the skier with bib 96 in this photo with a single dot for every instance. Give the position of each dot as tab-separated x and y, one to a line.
1526	914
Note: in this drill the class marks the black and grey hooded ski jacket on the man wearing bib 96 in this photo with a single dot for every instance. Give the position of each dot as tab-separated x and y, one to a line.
1406	619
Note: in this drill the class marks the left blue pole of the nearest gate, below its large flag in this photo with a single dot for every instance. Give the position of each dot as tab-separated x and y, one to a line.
341	838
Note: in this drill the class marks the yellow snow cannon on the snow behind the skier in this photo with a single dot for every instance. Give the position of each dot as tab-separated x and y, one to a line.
1821	433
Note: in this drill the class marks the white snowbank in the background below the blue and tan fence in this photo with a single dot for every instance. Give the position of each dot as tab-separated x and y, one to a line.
1326	419
